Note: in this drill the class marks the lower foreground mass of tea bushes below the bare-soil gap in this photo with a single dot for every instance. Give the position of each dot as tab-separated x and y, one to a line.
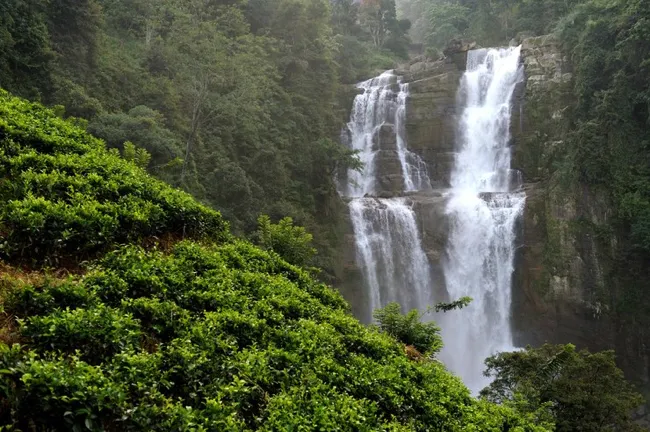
265	348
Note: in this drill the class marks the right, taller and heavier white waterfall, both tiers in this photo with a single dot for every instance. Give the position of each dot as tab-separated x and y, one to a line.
483	209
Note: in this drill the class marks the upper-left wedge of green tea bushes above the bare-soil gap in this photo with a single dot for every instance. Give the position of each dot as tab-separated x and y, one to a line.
63	196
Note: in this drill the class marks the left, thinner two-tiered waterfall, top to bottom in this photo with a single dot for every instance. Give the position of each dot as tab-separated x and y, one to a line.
388	245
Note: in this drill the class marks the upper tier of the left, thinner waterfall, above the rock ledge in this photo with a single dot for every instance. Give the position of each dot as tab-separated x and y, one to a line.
376	130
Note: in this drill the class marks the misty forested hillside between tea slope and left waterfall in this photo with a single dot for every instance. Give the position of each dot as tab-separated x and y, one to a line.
238	102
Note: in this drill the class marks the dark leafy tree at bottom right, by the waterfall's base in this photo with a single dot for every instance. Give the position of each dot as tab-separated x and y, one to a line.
583	391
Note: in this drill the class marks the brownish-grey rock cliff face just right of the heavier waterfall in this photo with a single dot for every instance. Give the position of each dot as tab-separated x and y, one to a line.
559	289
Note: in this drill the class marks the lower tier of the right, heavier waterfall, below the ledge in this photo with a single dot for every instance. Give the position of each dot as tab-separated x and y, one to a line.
480	263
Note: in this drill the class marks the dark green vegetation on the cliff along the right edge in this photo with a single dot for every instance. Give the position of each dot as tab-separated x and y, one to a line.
609	145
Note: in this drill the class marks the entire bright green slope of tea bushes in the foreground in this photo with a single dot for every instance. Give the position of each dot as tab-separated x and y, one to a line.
186	328
